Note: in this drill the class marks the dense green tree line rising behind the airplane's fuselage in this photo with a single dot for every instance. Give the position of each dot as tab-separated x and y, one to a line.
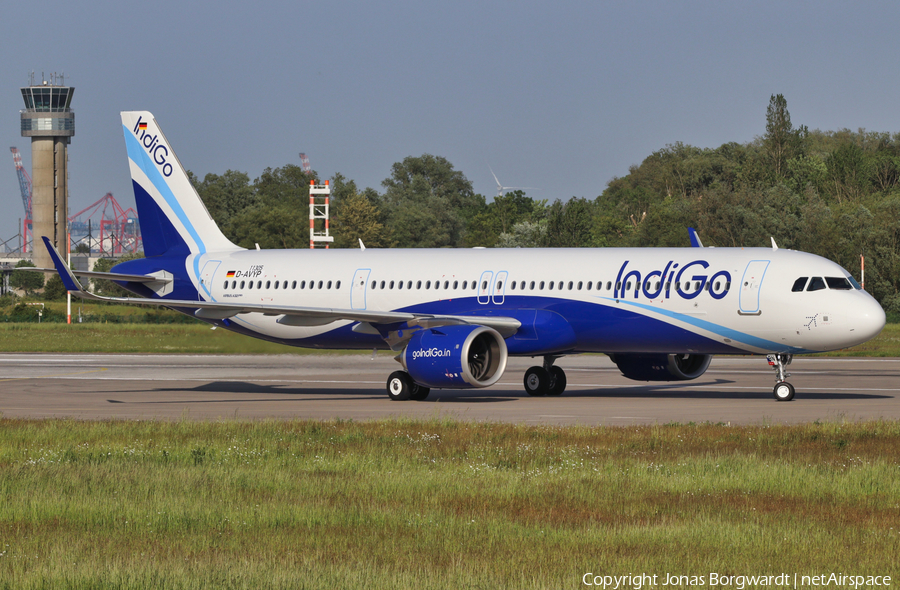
833	193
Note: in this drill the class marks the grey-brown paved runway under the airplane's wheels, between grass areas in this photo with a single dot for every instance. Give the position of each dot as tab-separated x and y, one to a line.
208	387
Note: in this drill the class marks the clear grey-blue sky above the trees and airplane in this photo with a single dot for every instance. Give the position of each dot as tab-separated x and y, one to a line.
560	96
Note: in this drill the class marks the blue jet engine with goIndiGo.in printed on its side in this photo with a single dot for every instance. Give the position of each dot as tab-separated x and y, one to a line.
455	356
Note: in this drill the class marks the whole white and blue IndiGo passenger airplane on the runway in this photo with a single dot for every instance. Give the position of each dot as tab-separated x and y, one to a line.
455	316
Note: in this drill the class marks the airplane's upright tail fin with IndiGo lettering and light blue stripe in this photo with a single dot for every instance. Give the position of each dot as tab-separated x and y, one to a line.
174	221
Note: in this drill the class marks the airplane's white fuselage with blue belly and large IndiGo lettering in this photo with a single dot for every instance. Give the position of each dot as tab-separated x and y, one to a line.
730	299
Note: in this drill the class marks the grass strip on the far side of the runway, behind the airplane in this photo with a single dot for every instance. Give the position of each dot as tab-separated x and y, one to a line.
200	339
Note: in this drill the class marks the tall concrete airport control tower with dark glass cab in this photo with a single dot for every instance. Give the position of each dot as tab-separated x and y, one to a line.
50	123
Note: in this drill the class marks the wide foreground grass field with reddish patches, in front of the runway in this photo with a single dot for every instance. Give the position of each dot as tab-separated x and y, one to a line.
438	504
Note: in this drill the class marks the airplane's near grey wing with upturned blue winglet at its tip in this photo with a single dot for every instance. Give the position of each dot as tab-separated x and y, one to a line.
293	316
